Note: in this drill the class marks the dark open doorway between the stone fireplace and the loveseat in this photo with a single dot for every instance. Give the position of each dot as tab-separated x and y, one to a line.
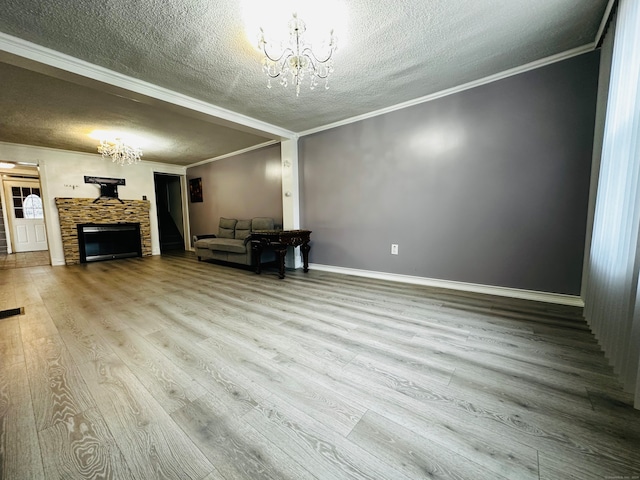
170	213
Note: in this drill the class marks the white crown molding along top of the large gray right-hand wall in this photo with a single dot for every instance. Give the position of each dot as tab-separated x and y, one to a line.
460	88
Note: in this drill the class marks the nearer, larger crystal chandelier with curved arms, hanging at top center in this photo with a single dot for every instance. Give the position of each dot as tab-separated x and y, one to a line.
298	59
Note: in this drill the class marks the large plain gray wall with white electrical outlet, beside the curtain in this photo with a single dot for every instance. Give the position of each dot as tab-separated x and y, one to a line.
487	186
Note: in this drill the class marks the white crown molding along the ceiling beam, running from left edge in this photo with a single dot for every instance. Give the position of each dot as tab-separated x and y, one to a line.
46	56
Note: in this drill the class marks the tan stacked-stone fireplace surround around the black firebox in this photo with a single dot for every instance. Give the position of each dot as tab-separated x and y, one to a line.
77	211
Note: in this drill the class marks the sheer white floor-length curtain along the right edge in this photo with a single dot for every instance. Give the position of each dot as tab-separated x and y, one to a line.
612	294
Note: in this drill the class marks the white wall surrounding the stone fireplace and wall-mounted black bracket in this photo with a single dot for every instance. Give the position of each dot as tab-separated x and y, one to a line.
62	175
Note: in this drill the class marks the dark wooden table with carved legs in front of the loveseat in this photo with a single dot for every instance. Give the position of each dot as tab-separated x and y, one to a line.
279	240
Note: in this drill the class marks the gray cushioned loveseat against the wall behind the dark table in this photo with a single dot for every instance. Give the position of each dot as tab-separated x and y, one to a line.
233	241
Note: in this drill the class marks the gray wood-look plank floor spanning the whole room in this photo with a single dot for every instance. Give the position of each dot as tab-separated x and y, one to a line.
169	368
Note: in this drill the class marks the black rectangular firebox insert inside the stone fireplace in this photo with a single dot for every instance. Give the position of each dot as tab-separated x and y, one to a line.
100	241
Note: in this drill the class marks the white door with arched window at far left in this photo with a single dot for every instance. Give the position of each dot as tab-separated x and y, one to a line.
26	216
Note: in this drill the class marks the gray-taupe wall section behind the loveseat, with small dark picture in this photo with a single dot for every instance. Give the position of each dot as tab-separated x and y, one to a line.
243	186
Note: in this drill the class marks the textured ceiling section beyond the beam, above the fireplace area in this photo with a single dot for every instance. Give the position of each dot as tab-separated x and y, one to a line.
60	114
